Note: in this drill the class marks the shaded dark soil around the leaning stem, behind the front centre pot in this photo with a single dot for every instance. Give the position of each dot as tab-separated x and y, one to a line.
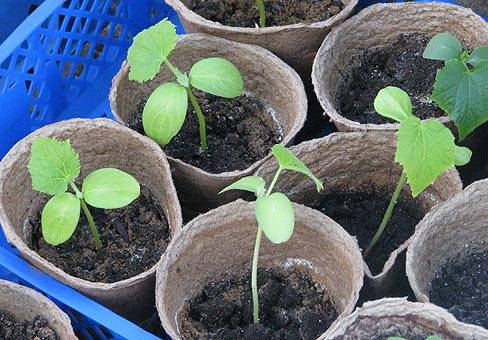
361	213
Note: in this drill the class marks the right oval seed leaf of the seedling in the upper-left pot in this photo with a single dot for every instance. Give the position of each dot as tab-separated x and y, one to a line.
217	76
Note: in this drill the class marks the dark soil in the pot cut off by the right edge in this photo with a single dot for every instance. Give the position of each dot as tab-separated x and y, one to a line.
461	286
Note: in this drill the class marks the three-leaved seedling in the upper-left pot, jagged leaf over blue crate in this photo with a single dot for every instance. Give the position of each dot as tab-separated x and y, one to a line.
165	110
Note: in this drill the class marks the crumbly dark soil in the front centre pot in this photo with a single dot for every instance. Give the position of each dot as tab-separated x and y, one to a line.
292	306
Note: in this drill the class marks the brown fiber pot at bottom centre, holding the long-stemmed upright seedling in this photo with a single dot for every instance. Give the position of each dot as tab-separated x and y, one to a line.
221	242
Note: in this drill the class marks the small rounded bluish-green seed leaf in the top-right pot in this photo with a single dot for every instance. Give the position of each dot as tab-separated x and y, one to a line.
443	46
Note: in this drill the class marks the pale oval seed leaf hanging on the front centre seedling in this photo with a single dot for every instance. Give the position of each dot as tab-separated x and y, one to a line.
276	217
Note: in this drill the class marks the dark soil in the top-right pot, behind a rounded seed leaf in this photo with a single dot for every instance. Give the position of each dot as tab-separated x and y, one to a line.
398	65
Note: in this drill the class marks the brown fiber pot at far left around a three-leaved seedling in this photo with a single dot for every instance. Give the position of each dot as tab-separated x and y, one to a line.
100	143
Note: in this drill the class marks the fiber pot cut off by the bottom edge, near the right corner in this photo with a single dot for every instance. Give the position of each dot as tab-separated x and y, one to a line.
396	315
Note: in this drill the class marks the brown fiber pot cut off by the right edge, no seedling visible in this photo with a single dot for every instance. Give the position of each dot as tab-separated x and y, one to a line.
452	228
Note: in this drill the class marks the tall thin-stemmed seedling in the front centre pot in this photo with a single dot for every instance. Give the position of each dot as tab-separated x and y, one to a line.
274	211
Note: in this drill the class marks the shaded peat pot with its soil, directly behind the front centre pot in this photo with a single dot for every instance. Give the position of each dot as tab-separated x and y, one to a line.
359	176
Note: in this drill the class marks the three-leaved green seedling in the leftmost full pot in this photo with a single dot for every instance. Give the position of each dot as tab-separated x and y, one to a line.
53	166
